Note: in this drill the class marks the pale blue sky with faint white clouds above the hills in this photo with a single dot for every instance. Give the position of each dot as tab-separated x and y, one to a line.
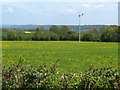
59	13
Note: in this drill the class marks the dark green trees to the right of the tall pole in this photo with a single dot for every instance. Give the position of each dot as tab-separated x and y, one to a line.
105	35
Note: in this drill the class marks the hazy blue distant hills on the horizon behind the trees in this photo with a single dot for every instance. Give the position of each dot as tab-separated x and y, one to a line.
71	27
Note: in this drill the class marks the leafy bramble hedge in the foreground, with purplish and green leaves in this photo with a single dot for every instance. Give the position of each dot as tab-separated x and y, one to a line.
44	77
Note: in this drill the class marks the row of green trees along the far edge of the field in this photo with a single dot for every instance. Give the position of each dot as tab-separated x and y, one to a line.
111	34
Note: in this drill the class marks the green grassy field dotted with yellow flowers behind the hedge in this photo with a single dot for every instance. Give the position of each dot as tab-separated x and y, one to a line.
72	55
